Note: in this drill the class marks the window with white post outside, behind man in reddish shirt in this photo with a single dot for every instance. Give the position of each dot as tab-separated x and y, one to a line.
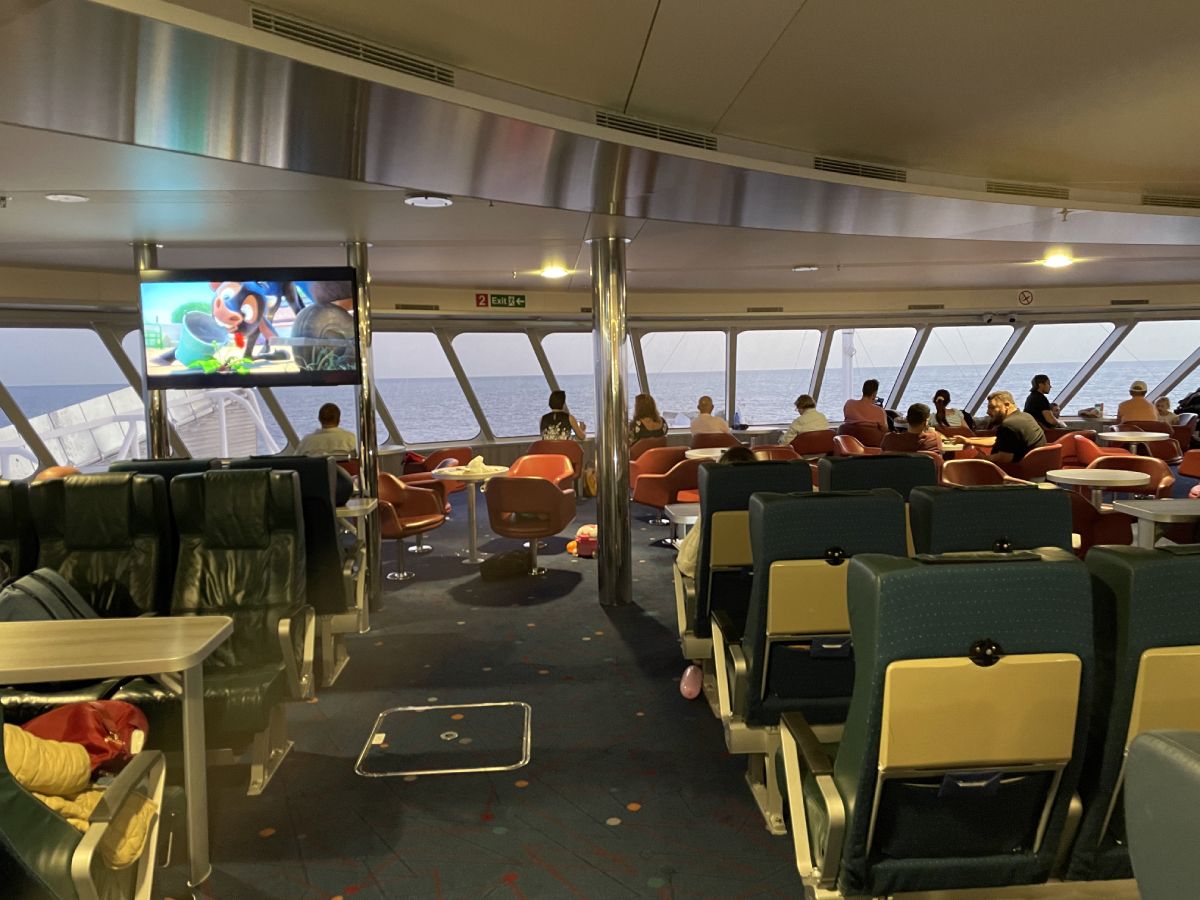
859	355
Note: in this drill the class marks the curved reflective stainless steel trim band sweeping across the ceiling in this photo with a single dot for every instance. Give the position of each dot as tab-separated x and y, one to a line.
91	70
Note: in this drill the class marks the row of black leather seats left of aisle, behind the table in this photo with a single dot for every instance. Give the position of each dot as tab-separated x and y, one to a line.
230	543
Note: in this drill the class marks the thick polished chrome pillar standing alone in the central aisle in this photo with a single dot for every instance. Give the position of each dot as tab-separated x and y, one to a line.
613	445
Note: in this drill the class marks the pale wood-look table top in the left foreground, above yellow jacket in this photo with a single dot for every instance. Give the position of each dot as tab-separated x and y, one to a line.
107	649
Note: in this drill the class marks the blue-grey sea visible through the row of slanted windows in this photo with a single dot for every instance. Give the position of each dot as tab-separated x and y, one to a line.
435	410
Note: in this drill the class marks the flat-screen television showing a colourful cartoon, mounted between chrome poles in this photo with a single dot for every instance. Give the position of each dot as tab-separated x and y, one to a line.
249	328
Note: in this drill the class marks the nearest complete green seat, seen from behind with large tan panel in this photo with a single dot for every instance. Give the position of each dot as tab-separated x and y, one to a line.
929	829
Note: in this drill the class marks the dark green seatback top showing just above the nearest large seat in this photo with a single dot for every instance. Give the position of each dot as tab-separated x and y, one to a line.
952	520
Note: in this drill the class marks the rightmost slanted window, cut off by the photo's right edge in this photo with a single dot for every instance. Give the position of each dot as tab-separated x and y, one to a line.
1149	353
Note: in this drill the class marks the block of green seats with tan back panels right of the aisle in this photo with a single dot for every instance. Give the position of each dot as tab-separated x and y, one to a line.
923	699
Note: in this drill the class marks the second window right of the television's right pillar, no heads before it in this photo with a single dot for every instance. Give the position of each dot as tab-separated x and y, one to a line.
507	380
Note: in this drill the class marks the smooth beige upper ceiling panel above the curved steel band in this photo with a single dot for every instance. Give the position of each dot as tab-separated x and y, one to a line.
1085	94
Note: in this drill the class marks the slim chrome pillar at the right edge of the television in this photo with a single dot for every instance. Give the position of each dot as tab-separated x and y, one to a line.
369	445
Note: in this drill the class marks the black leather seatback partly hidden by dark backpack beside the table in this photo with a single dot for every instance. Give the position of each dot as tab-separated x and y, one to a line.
105	535
